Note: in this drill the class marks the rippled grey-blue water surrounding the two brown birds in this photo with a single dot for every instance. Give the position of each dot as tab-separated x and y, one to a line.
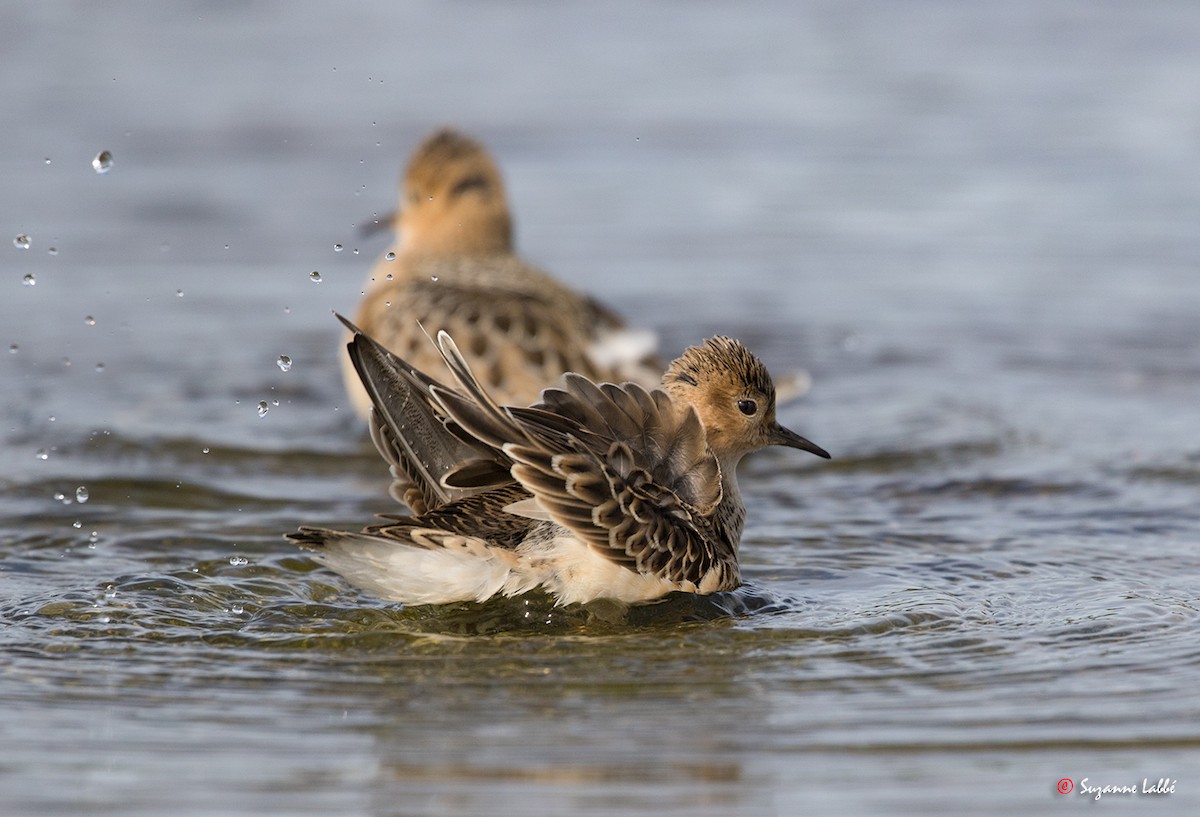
976	225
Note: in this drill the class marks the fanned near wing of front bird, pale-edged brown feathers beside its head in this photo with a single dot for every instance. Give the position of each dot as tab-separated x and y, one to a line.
626	470
